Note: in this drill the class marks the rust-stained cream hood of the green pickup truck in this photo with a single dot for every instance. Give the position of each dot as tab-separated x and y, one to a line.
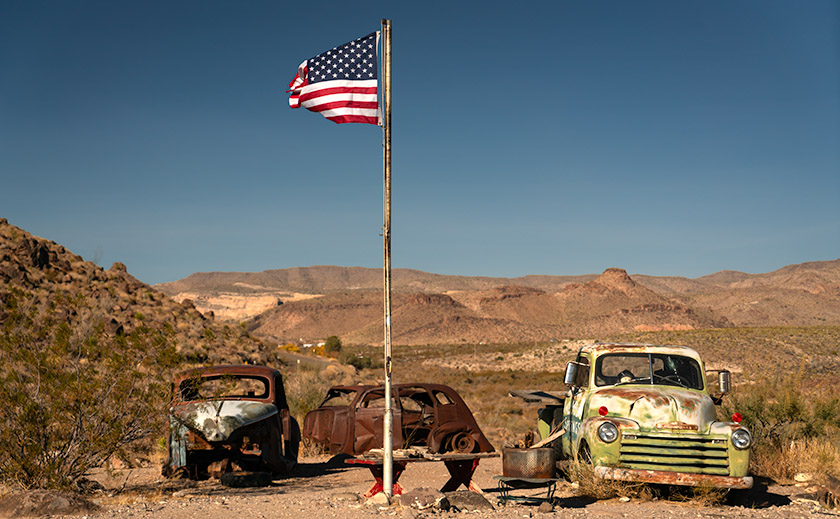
657	408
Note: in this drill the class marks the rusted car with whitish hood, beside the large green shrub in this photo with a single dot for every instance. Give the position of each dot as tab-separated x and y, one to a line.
230	418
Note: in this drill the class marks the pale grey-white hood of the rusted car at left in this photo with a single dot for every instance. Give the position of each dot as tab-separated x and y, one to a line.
216	420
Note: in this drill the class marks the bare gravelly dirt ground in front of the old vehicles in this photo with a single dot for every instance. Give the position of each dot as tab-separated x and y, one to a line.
325	489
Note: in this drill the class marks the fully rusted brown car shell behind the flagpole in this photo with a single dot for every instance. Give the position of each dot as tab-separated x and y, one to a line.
350	419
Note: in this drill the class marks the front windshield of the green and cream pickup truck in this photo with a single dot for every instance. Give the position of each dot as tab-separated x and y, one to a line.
648	368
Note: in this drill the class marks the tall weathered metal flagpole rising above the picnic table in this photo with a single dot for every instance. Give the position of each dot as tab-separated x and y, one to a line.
387	443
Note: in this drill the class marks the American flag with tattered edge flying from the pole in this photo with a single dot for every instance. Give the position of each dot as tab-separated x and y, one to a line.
340	83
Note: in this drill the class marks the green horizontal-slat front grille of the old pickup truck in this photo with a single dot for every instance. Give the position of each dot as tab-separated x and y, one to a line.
691	454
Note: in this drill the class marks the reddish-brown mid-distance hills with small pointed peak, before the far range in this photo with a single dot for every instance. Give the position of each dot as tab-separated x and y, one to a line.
608	304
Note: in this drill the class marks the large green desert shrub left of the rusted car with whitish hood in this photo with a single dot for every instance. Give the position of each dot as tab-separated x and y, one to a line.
71	396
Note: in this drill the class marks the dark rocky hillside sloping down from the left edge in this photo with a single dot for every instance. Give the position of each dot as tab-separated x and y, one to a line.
41	275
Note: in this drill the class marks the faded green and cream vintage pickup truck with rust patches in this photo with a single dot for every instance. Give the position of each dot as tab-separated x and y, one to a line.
642	412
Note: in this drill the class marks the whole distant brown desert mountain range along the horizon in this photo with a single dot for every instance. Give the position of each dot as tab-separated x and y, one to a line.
308	303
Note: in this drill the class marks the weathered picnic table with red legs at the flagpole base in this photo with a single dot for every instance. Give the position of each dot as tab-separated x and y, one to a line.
461	468
